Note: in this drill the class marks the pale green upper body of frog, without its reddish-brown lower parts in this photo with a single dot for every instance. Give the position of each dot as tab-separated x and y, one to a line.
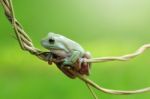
63	47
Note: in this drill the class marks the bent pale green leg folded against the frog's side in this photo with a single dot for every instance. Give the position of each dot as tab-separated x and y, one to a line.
75	55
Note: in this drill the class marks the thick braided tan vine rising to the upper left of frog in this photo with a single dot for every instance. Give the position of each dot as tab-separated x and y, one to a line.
24	40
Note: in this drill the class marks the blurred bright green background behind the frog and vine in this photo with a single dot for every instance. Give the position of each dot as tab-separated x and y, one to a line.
103	27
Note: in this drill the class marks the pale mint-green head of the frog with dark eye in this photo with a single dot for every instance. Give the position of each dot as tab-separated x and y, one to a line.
53	41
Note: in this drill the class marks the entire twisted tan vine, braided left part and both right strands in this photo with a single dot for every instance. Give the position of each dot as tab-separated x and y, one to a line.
27	45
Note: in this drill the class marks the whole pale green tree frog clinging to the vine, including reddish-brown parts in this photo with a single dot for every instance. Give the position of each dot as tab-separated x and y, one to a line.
69	53
